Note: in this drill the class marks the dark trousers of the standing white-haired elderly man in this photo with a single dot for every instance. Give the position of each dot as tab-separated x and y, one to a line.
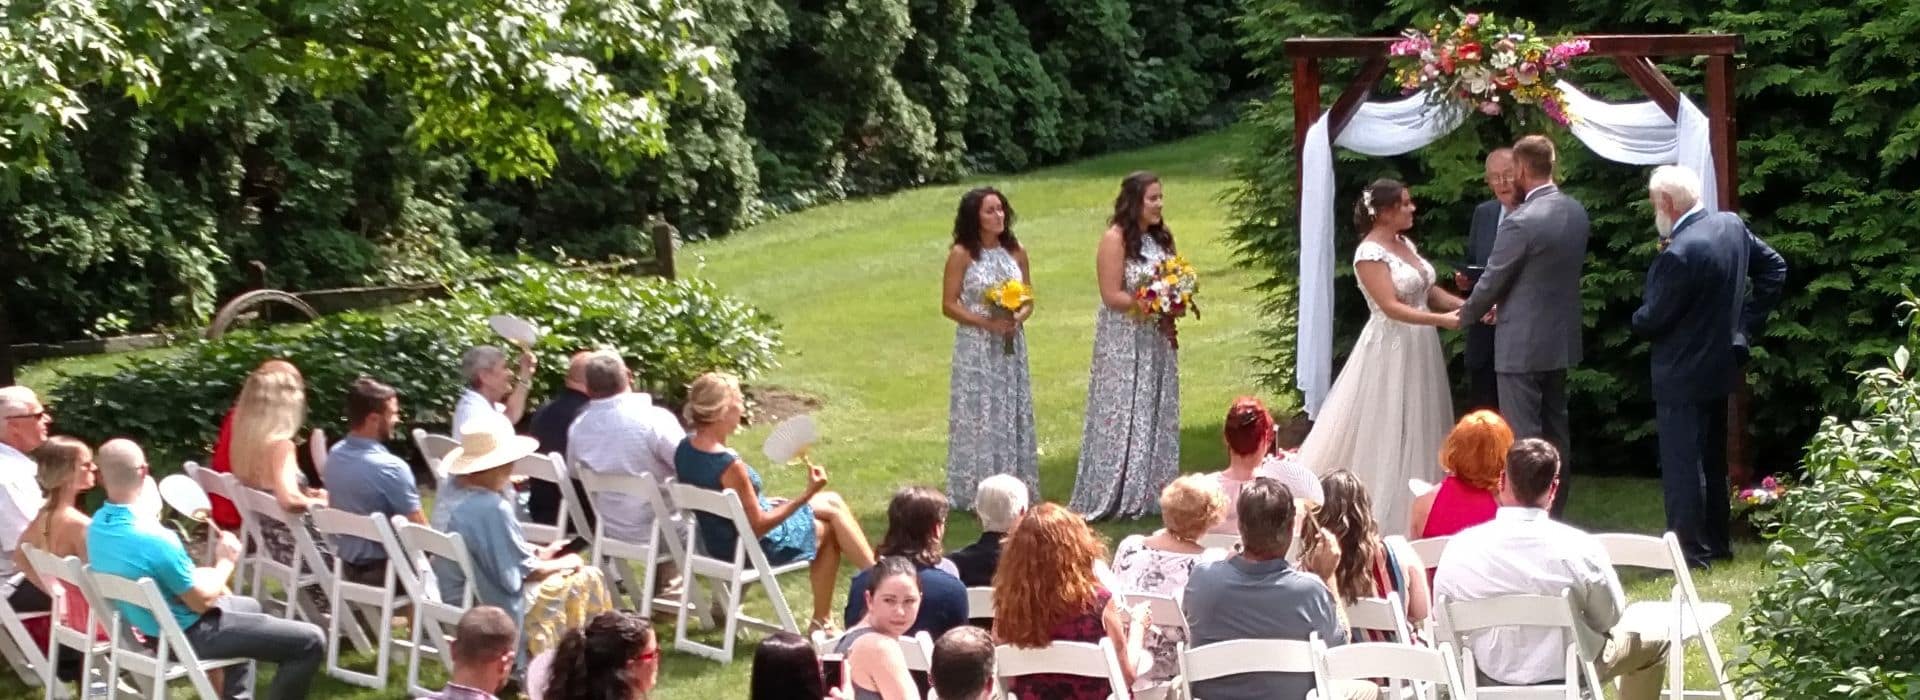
1694	477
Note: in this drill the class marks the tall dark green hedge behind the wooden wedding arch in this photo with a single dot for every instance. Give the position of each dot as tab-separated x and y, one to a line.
1833	197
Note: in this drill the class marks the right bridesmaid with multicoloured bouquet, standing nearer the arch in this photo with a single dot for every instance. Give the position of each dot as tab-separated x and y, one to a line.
1132	444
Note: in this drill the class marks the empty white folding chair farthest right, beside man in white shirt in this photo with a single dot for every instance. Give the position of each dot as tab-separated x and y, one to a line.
1683	618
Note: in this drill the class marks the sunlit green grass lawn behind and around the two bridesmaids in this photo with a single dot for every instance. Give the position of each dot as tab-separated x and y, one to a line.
857	292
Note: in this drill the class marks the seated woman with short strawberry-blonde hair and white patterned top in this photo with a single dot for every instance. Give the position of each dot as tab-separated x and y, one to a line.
1163	561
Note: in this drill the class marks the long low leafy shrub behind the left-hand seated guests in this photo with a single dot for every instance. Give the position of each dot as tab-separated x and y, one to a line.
667	331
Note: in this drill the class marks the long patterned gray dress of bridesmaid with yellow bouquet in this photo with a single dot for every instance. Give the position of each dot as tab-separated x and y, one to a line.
990	415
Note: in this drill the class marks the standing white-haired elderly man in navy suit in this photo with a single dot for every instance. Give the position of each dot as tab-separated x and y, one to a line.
1696	312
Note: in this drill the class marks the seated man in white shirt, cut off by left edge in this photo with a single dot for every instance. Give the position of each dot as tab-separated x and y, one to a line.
24	425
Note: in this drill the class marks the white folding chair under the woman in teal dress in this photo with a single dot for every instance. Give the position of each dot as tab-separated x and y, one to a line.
734	574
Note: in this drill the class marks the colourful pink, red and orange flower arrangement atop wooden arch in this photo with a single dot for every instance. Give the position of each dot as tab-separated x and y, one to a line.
1485	64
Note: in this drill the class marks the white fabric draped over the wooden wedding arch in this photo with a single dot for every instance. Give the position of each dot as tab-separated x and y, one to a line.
1629	133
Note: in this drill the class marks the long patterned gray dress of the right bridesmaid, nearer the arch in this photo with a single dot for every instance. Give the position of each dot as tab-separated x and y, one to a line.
1132	444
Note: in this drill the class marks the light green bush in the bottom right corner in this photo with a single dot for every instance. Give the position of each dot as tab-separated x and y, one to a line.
1842	618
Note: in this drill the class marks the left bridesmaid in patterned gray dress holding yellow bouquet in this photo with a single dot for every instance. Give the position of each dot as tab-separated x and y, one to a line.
990	415
